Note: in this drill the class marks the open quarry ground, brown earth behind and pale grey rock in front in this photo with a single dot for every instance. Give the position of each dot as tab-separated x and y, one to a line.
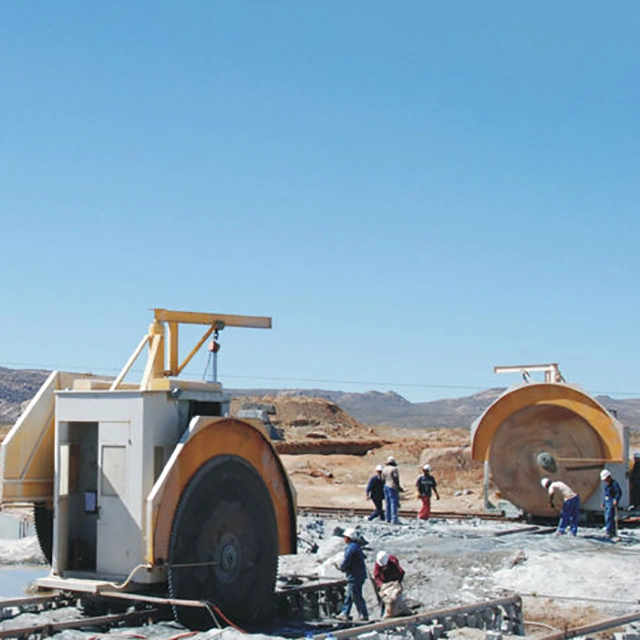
564	582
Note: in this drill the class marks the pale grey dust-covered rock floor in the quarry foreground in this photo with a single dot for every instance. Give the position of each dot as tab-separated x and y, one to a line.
563	581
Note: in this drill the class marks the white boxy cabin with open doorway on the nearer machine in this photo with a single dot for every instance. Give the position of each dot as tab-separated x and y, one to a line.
111	447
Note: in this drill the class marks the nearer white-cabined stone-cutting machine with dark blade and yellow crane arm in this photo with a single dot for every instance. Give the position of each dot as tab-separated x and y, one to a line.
151	486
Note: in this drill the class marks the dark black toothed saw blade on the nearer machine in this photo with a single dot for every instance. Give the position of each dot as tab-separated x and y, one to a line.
224	545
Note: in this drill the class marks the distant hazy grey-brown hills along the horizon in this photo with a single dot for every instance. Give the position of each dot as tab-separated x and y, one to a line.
18	386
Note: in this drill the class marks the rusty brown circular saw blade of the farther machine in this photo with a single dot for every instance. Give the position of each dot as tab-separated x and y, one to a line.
544	441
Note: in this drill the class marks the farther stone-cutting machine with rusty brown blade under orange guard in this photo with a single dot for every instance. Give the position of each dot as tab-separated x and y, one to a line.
549	429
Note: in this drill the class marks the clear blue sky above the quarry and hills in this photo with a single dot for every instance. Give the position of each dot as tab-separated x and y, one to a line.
414	191
